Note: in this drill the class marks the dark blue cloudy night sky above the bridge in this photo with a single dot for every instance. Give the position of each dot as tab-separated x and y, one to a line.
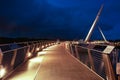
64	19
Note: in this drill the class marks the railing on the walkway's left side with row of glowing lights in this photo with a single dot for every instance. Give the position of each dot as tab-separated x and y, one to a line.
14	54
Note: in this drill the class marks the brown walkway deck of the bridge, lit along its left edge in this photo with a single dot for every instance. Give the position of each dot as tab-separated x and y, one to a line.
56	64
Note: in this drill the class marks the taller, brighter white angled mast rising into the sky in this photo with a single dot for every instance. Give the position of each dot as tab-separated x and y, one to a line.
93	25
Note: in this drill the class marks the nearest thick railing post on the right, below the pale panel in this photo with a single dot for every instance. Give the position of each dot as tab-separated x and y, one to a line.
108	67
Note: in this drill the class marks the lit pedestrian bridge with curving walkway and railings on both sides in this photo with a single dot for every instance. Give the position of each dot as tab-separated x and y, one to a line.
48	60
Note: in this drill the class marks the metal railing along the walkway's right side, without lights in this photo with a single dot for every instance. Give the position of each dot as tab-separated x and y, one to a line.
103	64
